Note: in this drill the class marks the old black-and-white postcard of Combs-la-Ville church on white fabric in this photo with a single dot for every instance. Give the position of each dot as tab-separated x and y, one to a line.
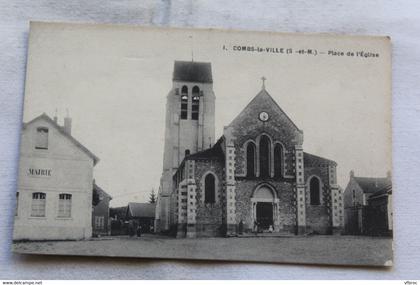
206	144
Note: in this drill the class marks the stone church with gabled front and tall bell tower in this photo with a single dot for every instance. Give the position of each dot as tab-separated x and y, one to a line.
255	178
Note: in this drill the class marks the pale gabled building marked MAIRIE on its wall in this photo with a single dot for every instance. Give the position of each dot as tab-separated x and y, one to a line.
55	183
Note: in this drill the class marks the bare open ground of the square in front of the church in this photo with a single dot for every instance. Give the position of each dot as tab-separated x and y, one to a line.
338	250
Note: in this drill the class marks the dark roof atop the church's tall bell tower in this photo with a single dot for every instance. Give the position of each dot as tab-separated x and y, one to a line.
192	71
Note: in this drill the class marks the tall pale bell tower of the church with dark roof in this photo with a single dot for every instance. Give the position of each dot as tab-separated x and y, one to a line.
190	126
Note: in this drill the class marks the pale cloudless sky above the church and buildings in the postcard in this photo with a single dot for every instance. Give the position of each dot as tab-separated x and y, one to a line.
113	80
